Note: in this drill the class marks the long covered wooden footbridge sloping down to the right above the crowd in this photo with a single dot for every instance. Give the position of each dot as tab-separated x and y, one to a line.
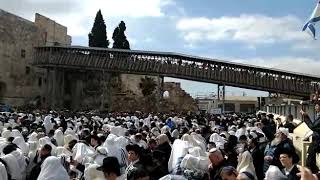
176	65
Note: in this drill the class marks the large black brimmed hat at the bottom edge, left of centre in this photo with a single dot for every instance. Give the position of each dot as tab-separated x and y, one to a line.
110	164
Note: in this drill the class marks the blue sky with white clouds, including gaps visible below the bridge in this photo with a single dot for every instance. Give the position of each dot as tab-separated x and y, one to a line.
260	32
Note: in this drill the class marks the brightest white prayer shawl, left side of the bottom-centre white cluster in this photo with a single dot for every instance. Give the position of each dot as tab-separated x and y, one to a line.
179	150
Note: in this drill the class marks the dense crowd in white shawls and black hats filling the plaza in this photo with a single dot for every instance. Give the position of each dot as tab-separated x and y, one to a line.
137	146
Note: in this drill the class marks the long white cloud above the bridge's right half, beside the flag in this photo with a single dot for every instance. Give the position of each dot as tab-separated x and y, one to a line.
249	29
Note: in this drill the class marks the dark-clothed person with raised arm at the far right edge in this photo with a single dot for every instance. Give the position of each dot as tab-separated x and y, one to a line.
314	147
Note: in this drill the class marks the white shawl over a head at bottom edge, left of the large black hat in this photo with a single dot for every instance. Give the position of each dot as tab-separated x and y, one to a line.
52	169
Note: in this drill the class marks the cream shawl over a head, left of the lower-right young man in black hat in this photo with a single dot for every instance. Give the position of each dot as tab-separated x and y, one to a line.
245	163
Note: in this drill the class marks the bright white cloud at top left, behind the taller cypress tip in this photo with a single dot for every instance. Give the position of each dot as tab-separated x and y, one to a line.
77	15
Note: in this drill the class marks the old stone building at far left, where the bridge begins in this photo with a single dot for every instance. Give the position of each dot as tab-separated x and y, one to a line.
20	82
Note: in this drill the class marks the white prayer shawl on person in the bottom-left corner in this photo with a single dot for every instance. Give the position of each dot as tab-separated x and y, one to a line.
13	166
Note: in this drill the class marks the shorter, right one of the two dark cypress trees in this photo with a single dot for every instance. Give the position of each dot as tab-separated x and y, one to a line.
119	38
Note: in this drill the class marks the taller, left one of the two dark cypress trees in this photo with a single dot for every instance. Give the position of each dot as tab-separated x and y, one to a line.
98	34
